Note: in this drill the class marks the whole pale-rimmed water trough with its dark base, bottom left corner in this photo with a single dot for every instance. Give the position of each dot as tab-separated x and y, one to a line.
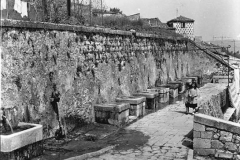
24	143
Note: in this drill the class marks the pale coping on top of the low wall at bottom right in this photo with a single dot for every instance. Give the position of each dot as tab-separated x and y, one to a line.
217	123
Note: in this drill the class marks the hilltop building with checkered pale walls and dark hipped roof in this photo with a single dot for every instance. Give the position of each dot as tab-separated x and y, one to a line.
183	25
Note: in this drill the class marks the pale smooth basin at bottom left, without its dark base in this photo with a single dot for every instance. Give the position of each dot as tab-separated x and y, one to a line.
20	139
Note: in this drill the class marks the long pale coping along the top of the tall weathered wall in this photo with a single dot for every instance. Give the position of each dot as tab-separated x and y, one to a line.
77	28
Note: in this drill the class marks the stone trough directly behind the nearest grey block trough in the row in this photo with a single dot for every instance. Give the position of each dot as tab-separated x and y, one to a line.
137	105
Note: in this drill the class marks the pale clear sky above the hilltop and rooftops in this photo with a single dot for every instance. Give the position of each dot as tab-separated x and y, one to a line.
213	18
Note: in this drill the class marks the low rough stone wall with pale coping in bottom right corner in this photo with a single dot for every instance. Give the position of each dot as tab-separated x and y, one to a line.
215	137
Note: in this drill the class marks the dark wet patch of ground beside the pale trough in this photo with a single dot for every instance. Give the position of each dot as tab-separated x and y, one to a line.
91	138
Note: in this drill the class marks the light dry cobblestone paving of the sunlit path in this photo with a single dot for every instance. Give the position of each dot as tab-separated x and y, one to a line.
166	129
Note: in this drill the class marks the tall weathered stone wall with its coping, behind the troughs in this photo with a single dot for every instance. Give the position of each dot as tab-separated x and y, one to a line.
89	65
